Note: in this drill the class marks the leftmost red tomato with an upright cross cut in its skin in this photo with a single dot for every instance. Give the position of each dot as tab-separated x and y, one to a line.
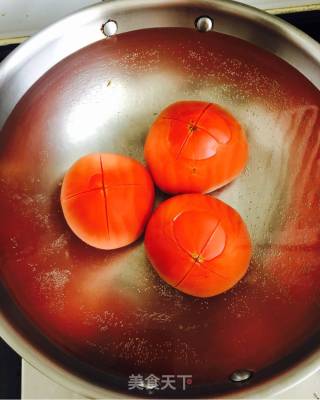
107	199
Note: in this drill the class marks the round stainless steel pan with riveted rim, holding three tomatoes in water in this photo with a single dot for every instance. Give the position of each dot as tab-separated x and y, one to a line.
88	318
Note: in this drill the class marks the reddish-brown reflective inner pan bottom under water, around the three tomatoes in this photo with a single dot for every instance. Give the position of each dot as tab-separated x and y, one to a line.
110	309
